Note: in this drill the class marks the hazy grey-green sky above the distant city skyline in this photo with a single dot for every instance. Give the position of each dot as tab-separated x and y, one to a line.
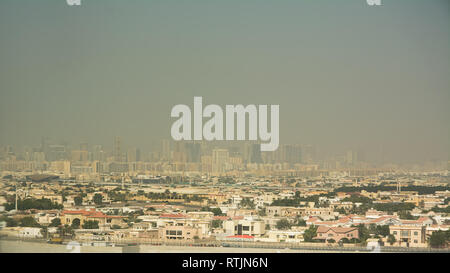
345	75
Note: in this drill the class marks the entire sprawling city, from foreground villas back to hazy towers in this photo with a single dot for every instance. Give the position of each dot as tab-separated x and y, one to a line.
190	194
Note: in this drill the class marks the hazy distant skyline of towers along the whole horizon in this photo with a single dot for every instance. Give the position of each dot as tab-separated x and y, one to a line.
119	150
